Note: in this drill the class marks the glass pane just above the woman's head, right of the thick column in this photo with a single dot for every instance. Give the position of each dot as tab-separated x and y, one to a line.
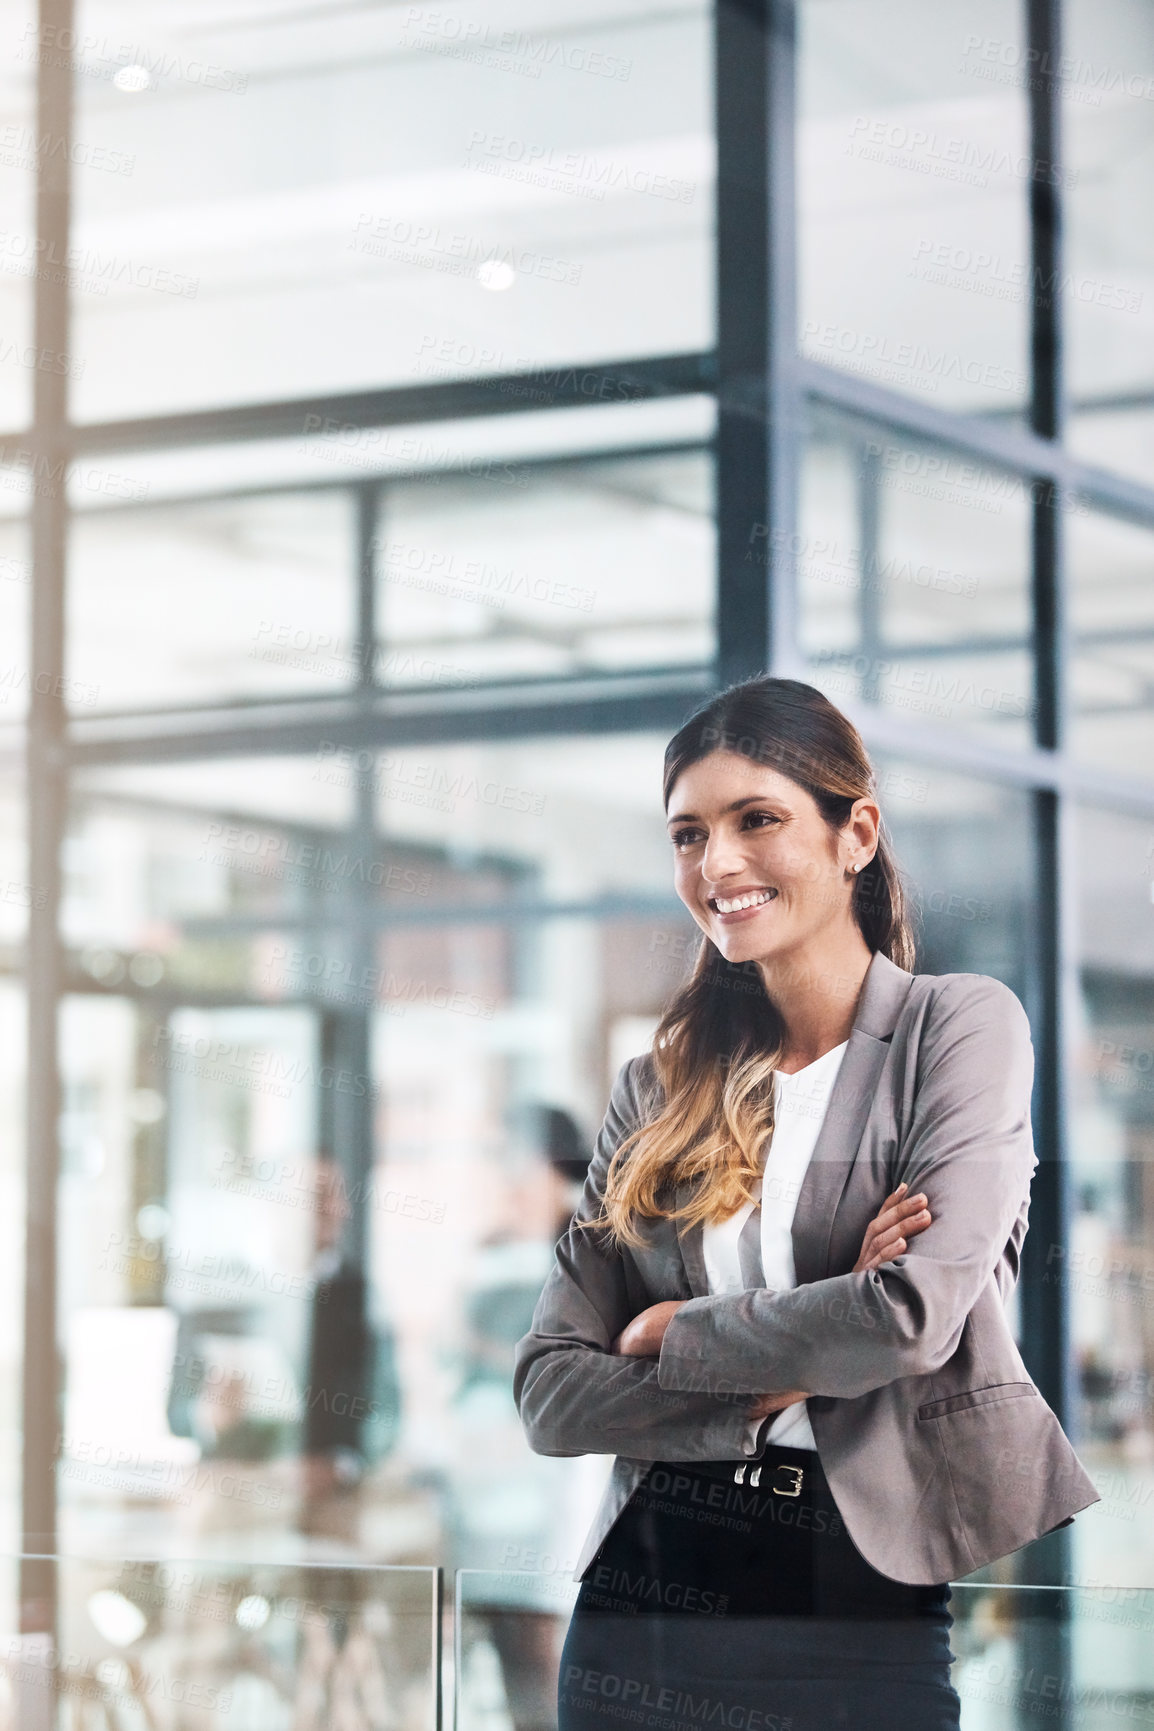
914	582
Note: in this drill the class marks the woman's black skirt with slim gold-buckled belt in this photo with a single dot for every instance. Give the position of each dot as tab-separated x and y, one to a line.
747	1607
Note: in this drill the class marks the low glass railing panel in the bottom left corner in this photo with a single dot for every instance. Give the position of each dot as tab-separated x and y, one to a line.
167	1645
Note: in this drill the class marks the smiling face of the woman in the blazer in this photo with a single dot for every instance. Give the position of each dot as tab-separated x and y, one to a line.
755	861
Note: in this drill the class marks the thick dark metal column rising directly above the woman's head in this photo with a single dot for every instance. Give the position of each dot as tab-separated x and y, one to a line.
757	337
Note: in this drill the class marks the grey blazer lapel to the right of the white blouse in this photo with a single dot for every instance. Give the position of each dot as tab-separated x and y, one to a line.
883	994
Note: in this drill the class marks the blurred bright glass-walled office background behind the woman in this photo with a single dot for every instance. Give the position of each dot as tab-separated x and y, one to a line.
409	415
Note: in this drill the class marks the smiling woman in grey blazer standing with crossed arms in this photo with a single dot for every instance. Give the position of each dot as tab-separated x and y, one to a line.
783	1299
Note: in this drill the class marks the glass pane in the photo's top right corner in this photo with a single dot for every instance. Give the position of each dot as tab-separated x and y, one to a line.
1108	127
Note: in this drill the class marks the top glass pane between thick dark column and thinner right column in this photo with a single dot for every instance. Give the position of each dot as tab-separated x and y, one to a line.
914	171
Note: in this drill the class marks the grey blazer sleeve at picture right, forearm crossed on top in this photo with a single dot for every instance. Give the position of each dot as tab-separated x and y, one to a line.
970	1149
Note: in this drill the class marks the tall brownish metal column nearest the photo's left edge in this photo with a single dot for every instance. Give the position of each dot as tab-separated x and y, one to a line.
46	816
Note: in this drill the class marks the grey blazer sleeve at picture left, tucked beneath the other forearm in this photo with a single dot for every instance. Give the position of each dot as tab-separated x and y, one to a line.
574	1394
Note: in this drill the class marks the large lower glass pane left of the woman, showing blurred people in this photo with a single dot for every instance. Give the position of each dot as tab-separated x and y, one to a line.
330	1088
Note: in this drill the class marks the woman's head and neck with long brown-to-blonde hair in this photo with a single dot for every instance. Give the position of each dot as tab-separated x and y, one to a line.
773	866
